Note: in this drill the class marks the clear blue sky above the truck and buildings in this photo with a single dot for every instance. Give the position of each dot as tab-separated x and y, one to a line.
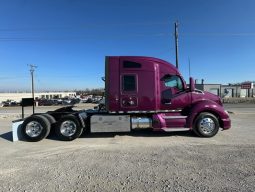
68	39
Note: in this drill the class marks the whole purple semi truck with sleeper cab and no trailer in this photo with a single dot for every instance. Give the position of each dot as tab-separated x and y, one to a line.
140	93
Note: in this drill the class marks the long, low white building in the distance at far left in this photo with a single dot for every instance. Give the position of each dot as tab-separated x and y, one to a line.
43	95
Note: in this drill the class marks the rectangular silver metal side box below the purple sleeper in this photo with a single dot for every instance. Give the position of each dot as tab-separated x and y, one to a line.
110	123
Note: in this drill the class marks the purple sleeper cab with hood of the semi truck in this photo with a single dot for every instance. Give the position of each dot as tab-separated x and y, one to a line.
155	89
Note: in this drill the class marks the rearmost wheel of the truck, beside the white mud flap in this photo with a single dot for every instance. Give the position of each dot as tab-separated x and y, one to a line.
35	128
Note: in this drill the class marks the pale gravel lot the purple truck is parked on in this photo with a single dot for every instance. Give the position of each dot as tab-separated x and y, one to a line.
141	161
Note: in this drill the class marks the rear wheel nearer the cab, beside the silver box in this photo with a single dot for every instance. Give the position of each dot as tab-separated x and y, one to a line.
68	128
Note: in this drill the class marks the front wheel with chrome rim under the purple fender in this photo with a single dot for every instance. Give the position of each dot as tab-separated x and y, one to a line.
206	125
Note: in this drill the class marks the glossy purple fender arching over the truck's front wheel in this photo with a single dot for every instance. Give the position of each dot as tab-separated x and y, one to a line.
206	106
